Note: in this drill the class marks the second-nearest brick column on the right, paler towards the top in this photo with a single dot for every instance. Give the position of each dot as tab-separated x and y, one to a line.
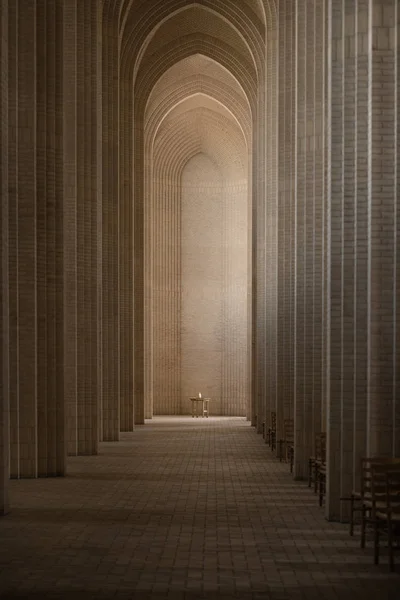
309	211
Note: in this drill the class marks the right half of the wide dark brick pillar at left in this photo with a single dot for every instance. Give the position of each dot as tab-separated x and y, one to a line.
49	241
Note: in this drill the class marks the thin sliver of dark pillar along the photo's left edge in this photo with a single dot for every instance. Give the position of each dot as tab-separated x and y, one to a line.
4	297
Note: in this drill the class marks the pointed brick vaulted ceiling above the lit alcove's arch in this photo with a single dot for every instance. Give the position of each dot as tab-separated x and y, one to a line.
157	33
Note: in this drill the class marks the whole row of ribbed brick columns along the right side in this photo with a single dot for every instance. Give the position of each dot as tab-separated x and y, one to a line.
337	346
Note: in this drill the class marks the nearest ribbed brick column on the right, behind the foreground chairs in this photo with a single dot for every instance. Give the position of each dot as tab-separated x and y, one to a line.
362	316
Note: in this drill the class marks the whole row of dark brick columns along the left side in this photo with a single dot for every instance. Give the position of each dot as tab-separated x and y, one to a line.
59	280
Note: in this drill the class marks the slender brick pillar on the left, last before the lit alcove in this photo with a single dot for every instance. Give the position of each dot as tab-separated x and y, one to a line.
131	319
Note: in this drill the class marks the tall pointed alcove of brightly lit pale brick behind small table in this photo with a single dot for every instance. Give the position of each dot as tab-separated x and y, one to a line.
197	250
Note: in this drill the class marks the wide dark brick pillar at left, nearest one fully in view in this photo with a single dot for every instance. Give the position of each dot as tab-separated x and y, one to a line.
36	312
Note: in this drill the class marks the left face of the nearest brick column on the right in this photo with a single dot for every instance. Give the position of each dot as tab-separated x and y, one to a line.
341	209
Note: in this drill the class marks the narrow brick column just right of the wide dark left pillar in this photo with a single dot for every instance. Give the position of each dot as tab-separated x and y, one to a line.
87	124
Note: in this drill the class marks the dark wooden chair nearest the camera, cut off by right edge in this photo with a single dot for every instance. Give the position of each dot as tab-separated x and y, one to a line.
385	507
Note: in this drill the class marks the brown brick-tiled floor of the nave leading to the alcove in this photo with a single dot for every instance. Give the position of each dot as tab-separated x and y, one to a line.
184	509
